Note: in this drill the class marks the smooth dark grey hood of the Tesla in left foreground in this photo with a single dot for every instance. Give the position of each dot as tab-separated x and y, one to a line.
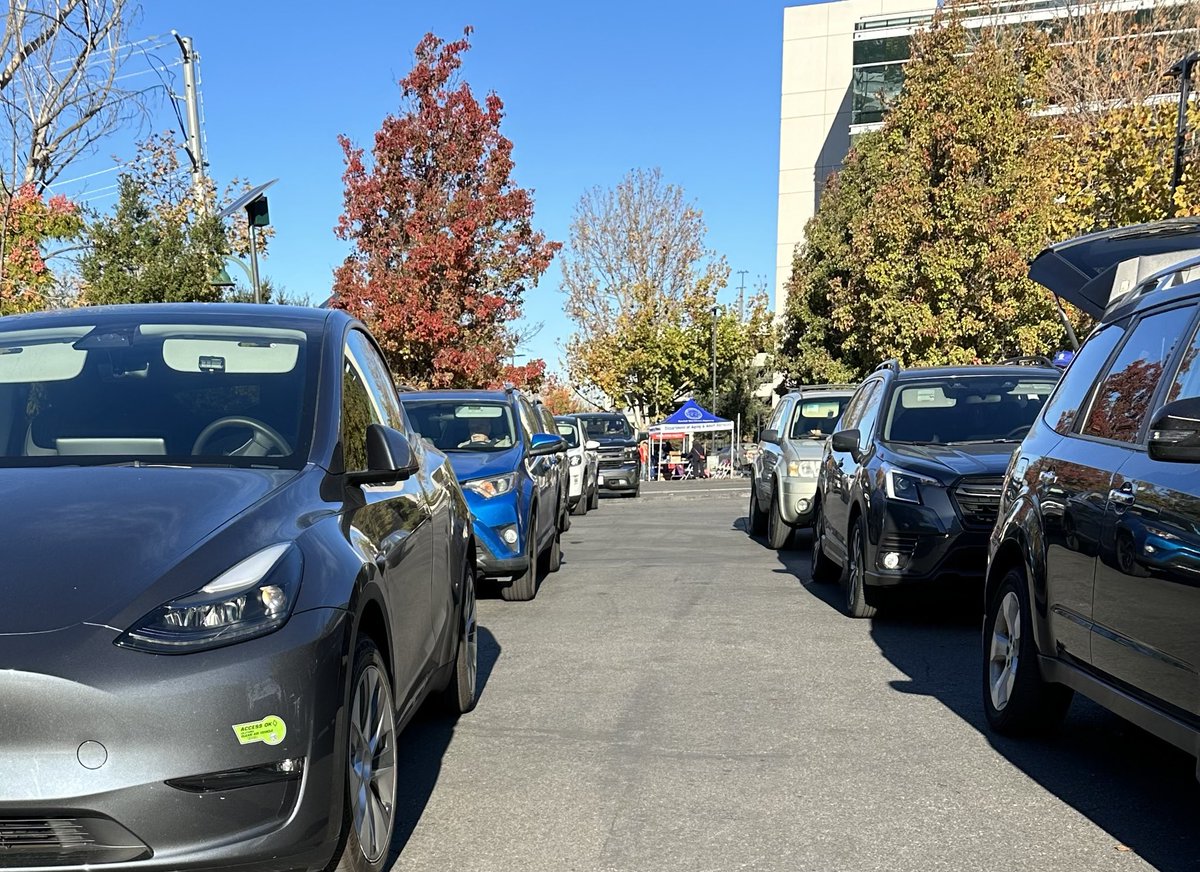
80	544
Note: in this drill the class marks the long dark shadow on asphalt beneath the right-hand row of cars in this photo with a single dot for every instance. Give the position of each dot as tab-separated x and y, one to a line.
1139	790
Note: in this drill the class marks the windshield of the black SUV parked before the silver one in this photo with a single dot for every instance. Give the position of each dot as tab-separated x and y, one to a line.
965	410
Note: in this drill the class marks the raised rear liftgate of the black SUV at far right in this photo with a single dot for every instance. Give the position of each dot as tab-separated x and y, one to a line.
1091	272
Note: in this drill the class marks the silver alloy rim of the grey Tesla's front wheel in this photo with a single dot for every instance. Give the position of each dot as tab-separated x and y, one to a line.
373	763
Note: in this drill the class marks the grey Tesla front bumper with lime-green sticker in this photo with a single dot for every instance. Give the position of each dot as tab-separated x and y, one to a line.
118	760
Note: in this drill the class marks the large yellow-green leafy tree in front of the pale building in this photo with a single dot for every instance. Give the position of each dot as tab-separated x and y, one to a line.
920	249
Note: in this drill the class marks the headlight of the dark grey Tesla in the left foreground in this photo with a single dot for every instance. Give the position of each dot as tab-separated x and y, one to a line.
253	599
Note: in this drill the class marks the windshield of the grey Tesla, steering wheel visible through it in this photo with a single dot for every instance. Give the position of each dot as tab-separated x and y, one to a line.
178	394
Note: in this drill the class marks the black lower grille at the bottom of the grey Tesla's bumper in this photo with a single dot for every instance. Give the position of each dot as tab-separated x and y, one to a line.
67	843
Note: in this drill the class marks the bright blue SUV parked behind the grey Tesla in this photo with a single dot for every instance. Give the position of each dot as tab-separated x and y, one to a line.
508	467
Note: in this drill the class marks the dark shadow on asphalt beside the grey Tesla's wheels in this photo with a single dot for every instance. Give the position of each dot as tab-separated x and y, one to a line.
423	747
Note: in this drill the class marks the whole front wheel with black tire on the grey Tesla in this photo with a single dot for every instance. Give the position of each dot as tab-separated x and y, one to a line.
369	678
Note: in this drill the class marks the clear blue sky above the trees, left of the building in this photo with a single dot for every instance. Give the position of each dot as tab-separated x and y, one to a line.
591	92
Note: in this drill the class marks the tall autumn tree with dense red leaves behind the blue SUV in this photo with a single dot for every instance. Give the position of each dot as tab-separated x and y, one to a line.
445	245
